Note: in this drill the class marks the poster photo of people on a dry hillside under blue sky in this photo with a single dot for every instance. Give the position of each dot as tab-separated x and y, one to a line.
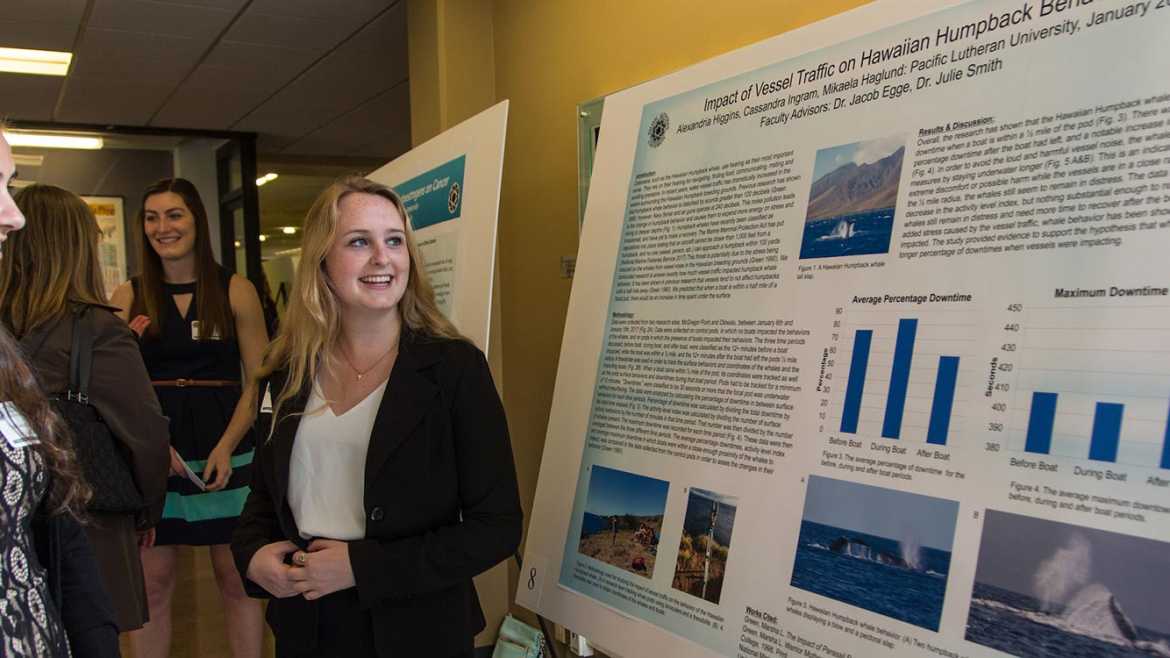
623	520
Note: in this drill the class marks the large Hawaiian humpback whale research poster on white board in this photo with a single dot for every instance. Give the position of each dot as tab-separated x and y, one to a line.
869	351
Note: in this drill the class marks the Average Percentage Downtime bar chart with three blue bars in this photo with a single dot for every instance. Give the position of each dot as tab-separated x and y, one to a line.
905	373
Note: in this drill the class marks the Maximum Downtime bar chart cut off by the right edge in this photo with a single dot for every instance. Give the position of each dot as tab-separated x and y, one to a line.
1095	385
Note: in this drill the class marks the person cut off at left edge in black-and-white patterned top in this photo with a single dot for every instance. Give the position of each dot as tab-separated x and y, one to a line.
52	604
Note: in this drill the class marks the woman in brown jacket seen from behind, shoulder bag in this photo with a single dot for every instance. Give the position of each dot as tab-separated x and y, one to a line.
51	273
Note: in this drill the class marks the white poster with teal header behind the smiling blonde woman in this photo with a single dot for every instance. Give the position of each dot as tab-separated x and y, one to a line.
451	187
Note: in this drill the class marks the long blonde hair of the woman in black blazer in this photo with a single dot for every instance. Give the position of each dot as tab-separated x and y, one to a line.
312	325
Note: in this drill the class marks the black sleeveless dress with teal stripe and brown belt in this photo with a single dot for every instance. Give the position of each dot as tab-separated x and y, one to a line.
199	416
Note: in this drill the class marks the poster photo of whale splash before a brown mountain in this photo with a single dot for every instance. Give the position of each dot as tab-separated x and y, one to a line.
852	201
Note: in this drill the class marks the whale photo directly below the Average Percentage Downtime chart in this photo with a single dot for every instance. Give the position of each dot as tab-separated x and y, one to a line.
875	549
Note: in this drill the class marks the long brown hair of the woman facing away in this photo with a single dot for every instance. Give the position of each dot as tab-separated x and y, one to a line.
52	263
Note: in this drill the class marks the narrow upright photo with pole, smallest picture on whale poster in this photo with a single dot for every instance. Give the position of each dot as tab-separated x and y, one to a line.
705	545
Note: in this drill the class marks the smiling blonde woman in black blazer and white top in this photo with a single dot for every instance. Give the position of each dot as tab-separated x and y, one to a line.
388	430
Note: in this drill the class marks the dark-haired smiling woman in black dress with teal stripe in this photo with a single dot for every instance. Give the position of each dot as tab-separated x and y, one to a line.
198	323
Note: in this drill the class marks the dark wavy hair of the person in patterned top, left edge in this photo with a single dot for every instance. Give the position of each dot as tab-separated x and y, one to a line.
68	492
